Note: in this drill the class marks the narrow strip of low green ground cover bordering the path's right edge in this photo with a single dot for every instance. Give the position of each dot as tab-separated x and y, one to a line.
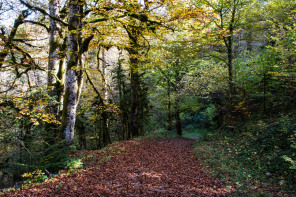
223	165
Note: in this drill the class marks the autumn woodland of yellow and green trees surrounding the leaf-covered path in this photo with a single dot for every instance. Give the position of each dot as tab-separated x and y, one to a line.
83	75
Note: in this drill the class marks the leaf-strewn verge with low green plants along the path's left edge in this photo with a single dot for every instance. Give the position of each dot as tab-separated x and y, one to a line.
70	161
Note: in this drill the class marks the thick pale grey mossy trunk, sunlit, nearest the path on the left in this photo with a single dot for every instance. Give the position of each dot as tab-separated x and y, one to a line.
72	76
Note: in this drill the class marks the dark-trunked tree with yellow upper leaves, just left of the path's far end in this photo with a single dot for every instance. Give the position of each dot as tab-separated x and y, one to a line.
138	24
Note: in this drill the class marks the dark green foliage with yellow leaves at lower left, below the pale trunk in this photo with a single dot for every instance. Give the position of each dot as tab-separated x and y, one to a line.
29	165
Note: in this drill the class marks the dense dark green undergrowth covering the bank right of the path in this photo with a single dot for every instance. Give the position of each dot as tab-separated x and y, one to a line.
258	160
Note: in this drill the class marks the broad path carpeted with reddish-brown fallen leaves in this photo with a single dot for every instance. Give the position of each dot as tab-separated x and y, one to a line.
134	168
